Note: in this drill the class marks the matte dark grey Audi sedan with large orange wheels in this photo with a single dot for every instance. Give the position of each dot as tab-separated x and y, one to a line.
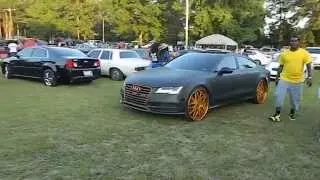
195	82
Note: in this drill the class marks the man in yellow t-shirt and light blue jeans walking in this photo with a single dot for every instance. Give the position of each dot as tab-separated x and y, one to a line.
291	72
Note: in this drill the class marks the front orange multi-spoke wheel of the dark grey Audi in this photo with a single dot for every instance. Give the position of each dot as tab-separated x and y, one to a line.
197	105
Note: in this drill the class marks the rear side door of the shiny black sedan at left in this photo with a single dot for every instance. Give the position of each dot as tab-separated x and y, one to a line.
34	64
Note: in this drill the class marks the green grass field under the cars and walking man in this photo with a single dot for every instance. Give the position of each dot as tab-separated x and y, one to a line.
82	132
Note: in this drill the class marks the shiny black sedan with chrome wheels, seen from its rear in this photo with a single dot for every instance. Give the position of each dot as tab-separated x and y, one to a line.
52	65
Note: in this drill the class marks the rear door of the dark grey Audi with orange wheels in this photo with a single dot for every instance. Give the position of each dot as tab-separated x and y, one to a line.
248	73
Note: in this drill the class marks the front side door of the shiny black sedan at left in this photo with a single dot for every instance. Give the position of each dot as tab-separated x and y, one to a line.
19	65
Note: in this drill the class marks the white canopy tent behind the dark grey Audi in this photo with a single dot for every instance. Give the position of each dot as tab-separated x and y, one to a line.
217	41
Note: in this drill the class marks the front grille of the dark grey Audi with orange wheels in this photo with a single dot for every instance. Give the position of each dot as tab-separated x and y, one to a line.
137	94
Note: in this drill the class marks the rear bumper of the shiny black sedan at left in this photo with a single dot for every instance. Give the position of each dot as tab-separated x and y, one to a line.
74	75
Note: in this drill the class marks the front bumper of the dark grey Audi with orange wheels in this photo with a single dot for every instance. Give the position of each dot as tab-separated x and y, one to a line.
156	103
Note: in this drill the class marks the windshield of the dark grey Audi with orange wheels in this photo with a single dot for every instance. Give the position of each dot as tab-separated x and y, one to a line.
196	61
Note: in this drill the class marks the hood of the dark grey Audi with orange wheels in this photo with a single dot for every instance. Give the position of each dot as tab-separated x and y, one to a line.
160	77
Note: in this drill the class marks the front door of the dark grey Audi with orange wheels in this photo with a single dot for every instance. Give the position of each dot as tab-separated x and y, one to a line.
224	86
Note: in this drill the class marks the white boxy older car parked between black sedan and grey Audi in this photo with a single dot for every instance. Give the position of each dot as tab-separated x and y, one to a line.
119	63
